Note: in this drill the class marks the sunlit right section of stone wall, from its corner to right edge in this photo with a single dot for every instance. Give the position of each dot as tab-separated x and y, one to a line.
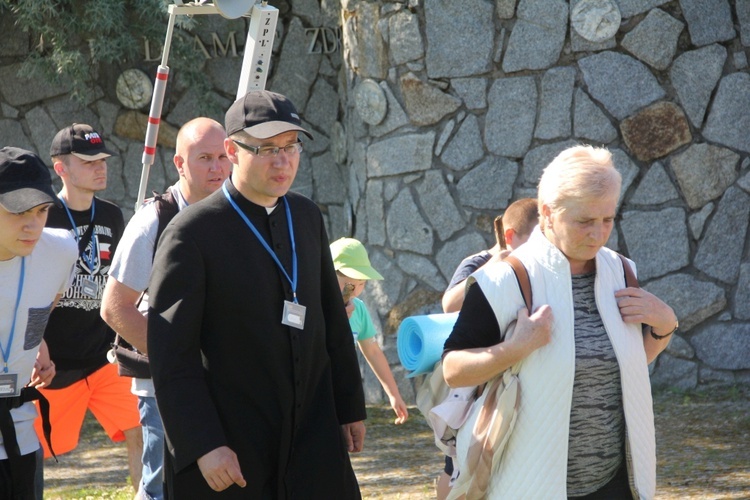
454	108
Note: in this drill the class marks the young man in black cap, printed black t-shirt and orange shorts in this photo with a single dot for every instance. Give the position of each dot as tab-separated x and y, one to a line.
78	338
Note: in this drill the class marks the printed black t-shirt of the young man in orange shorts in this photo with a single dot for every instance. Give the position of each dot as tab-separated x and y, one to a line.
77	337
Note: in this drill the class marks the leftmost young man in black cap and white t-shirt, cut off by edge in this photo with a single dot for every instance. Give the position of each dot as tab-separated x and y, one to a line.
35	269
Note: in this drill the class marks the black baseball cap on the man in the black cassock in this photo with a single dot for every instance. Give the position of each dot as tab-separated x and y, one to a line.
263	114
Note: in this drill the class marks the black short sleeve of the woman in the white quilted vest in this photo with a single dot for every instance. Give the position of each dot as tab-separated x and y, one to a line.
476	325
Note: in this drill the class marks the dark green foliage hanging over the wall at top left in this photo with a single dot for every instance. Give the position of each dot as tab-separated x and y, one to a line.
77	39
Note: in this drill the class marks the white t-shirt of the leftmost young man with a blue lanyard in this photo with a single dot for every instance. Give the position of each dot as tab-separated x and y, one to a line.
48	271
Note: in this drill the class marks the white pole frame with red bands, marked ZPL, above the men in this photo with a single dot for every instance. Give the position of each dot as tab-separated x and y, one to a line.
255	63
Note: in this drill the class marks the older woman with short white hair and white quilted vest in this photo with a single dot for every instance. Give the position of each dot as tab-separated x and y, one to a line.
585	426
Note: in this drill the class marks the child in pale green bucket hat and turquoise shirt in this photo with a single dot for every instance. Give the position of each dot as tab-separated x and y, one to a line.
353	270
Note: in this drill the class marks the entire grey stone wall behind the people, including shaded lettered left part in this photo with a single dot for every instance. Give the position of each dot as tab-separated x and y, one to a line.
431	116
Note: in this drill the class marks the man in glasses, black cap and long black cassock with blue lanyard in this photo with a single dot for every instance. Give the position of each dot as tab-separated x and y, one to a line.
251	352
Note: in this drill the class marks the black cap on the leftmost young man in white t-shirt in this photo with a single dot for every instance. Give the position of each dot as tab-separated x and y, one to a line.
24	181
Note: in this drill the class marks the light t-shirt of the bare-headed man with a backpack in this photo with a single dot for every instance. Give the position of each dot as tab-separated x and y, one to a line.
134	259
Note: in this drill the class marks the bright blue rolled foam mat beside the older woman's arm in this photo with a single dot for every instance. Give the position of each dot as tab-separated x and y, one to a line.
420	341
